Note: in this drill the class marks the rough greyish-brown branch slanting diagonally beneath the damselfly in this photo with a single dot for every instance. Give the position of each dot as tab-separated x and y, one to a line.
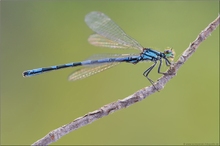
136	97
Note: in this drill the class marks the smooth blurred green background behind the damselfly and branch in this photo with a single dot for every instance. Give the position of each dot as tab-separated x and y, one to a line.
43	33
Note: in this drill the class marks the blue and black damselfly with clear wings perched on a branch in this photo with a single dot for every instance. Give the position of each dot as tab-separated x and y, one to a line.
109	34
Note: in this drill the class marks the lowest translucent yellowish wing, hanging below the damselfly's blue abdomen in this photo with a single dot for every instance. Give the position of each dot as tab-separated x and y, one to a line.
88	71
